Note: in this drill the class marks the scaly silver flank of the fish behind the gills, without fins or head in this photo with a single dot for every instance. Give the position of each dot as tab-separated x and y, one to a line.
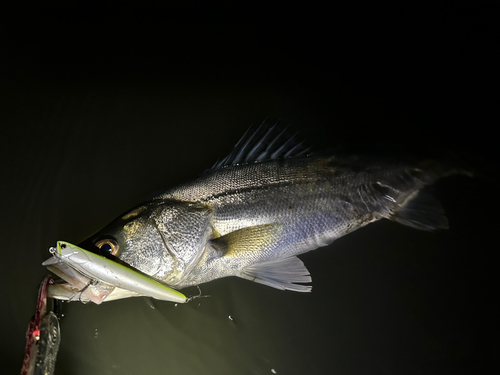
326	203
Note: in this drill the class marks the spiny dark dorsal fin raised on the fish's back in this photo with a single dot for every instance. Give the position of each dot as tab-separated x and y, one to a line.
266	142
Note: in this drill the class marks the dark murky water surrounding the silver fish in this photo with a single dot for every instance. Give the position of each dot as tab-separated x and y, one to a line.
101	108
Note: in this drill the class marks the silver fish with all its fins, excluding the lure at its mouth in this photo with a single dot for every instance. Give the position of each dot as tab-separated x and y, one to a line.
270	200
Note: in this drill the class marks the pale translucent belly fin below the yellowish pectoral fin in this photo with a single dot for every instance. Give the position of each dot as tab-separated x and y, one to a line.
281	274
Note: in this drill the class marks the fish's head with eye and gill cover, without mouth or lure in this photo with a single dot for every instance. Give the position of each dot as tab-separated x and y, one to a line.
160	238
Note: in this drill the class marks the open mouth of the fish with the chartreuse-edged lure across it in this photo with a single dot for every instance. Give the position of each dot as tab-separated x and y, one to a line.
91	277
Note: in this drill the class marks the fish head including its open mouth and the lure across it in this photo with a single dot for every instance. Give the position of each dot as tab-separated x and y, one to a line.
130	257
